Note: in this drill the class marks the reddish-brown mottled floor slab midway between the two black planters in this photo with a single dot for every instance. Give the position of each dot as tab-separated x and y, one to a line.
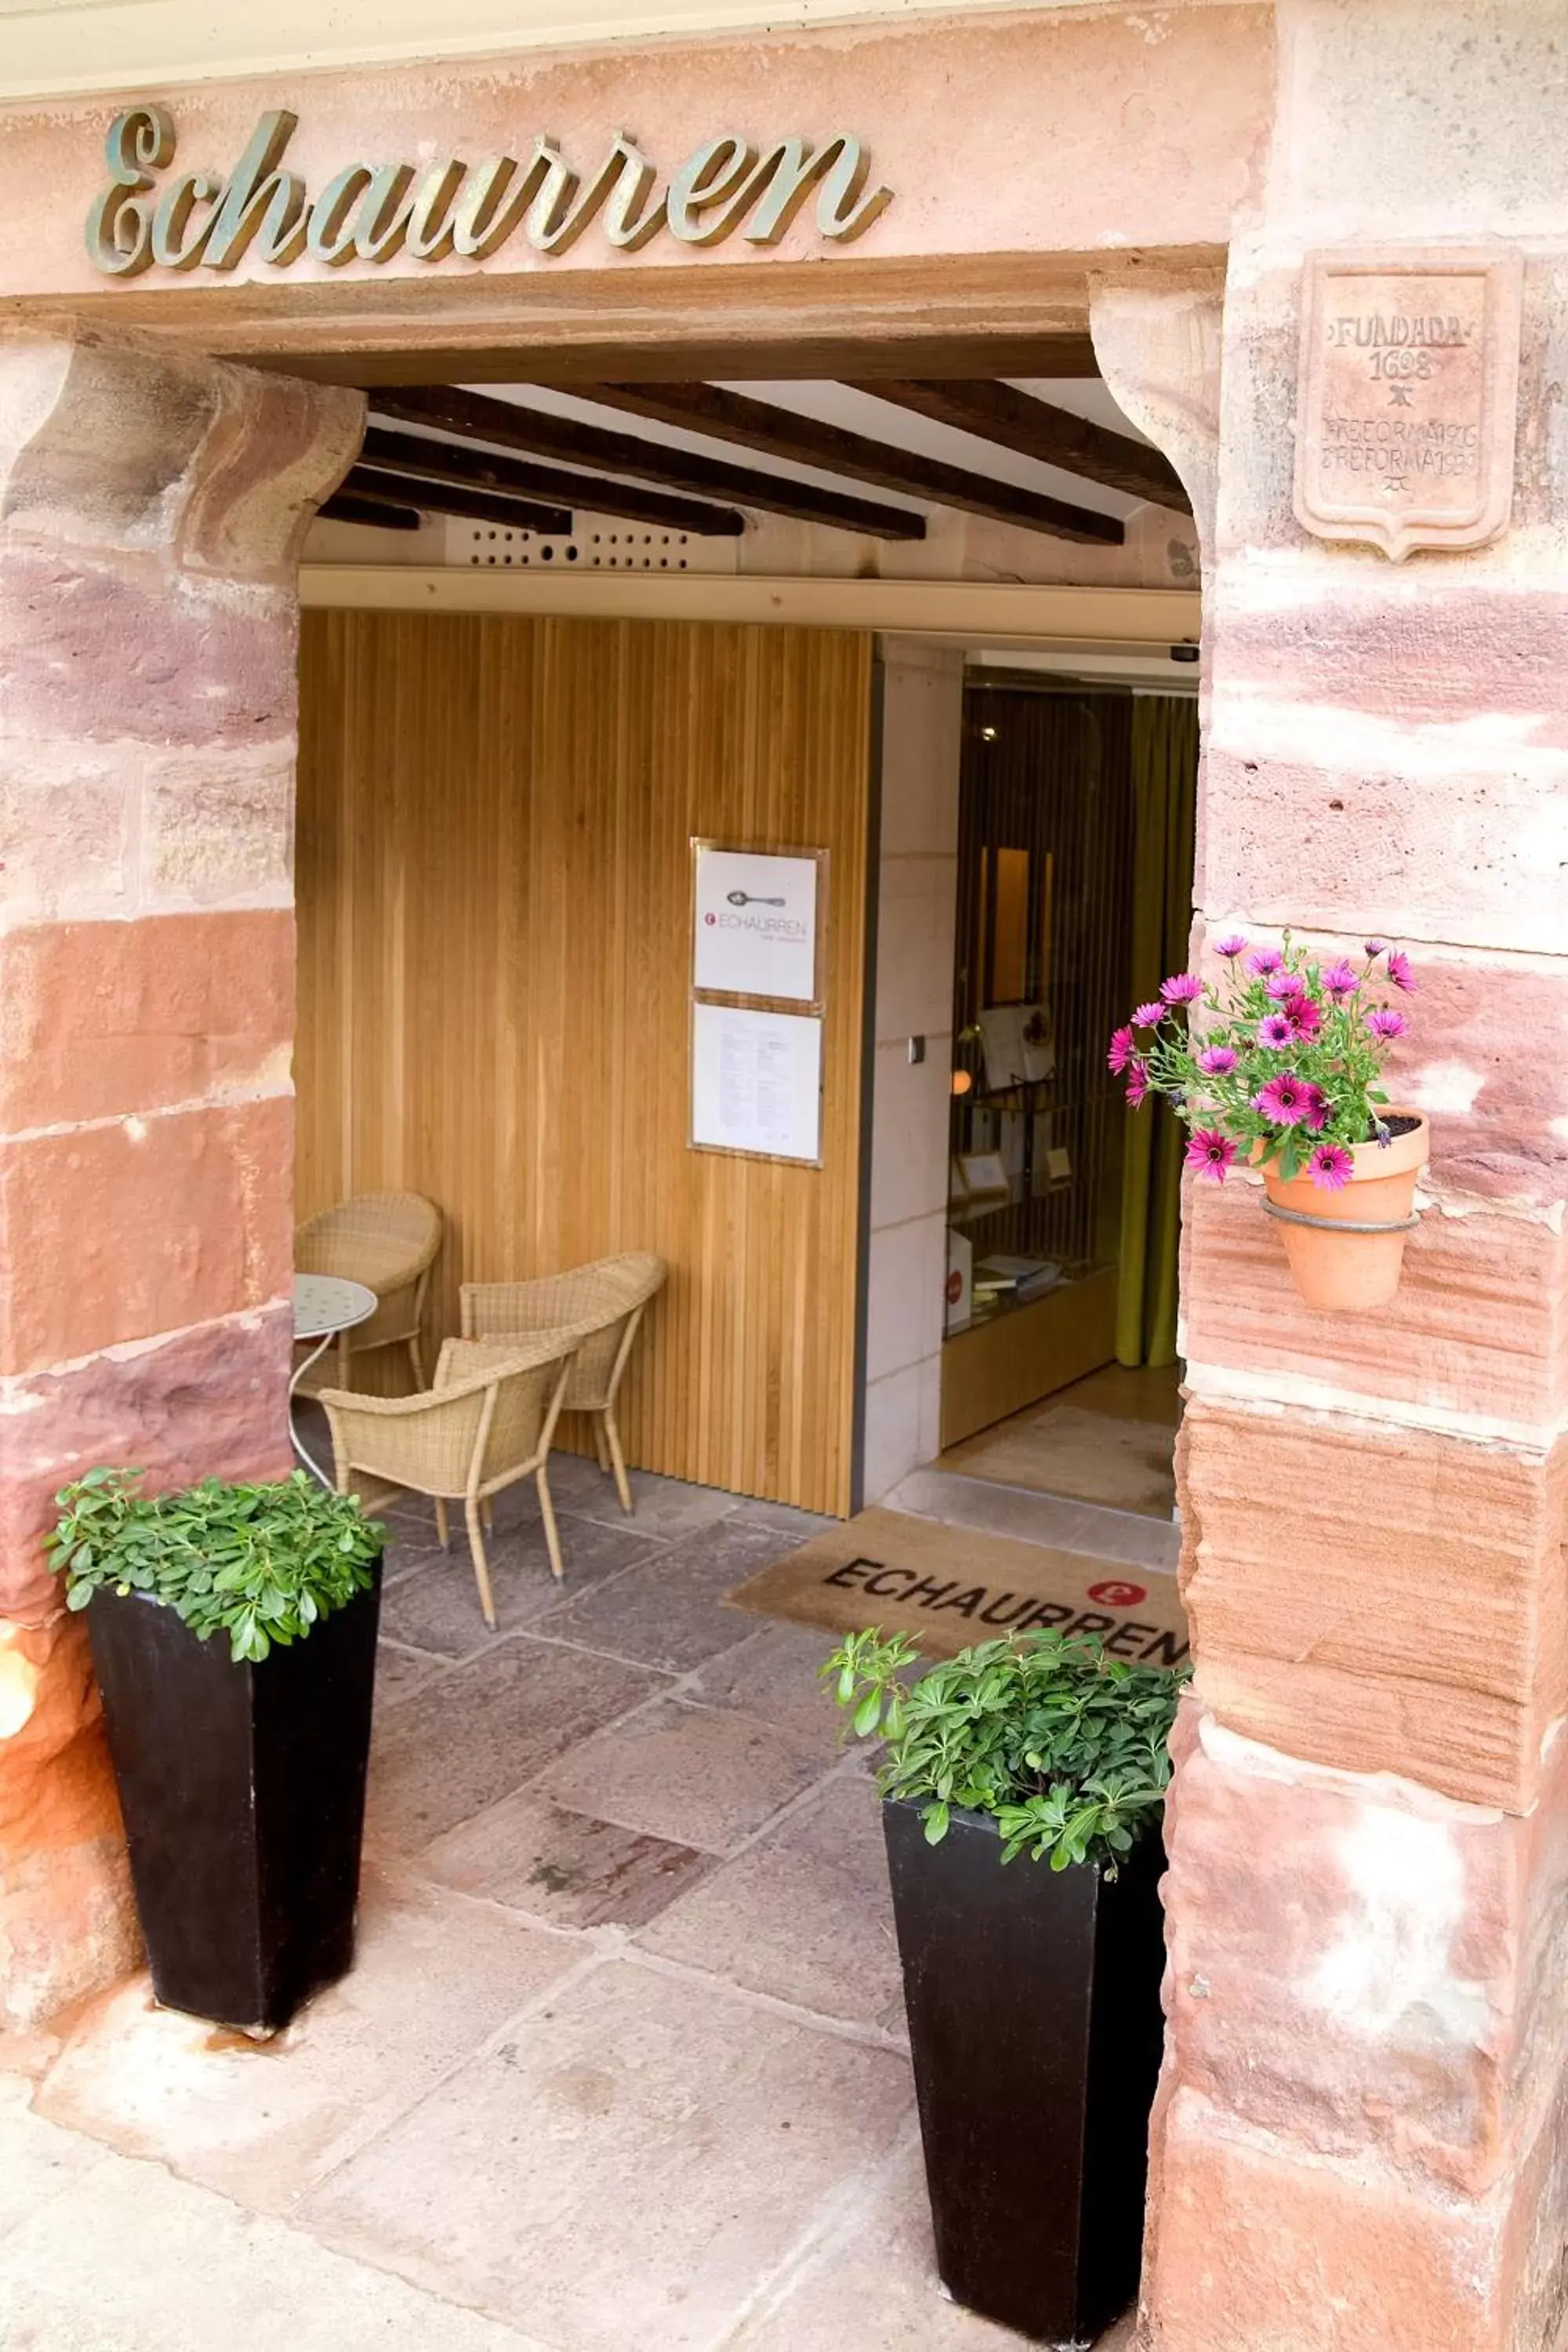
563	1869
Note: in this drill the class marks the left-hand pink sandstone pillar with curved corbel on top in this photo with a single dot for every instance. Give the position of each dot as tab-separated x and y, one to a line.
152	514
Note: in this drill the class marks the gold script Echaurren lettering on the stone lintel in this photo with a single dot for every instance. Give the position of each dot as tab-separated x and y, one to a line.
370	213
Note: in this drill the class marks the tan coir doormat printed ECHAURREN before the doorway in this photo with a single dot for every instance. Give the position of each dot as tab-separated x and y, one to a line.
951	1586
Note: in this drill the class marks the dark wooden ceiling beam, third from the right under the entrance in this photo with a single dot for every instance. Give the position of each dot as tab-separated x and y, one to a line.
624	453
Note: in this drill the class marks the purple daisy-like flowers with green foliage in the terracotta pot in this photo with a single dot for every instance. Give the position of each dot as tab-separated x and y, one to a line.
1282	1064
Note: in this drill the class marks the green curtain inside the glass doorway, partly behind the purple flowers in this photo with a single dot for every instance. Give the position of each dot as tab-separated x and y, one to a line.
1165	810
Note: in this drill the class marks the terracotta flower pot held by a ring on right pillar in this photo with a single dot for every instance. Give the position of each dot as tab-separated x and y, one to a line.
1343	1271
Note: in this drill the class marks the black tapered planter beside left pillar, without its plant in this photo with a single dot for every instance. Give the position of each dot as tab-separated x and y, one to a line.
243	1793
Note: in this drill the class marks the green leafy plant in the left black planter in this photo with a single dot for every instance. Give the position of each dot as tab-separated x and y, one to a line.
257	1563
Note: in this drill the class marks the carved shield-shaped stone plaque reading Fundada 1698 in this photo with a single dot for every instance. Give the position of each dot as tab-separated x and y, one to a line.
1409	394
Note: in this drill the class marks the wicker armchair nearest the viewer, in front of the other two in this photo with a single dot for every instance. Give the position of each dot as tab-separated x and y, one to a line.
488	1424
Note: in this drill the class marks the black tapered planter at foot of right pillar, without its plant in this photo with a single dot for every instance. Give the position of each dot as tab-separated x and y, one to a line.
1036	2031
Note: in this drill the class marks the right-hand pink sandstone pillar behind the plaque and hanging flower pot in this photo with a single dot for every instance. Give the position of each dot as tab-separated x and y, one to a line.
1362	2137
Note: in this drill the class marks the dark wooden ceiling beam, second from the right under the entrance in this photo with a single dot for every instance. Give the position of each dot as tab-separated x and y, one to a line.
770	432
